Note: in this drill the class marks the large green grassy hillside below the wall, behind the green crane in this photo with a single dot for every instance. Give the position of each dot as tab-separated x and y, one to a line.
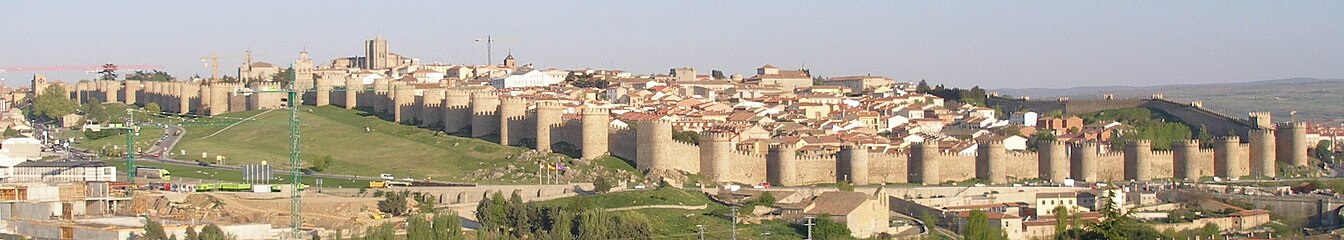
362	144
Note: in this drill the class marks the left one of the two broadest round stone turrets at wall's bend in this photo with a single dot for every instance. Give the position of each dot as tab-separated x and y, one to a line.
653	140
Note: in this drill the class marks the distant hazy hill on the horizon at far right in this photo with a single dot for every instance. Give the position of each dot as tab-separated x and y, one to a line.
1315	100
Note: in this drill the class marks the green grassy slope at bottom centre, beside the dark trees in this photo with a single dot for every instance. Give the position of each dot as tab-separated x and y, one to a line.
681	223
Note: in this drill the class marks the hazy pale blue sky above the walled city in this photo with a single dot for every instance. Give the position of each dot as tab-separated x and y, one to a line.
987	44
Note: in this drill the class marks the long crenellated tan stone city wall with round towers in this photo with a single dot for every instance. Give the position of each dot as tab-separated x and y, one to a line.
651	147
